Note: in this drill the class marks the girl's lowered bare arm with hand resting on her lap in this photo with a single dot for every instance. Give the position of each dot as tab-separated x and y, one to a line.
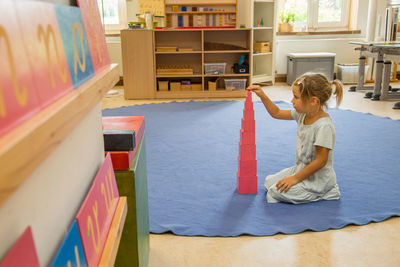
321	158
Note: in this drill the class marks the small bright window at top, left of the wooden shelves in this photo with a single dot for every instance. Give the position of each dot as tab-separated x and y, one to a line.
113	14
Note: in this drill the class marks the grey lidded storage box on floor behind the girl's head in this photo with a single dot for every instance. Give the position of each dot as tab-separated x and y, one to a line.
300	63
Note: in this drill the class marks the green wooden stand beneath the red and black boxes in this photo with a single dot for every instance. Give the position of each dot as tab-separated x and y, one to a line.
134	245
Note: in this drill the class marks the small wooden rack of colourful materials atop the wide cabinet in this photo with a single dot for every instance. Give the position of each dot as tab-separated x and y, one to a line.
201	13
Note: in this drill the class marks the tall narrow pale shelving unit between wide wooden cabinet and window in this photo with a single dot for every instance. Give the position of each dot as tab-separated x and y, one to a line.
263	63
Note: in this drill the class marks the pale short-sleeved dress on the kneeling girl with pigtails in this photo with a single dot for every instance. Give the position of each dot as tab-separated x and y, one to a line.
320	185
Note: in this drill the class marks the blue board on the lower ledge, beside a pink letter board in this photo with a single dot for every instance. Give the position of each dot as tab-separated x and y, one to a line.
71	251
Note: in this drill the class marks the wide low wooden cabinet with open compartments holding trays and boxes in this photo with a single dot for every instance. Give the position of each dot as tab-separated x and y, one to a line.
179	68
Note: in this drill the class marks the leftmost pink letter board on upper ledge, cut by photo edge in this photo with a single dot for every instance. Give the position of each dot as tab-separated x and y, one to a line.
18	95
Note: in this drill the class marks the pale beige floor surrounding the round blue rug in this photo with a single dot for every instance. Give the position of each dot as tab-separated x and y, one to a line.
375	244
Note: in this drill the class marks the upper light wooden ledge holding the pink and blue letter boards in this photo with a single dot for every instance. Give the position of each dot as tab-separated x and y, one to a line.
25	147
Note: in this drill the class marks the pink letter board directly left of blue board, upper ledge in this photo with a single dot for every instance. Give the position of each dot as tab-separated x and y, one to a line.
45	50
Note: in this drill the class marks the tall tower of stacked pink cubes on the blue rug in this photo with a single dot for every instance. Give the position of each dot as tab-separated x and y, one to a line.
247	172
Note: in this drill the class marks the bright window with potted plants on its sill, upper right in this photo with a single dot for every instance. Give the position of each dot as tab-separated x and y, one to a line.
318	14
